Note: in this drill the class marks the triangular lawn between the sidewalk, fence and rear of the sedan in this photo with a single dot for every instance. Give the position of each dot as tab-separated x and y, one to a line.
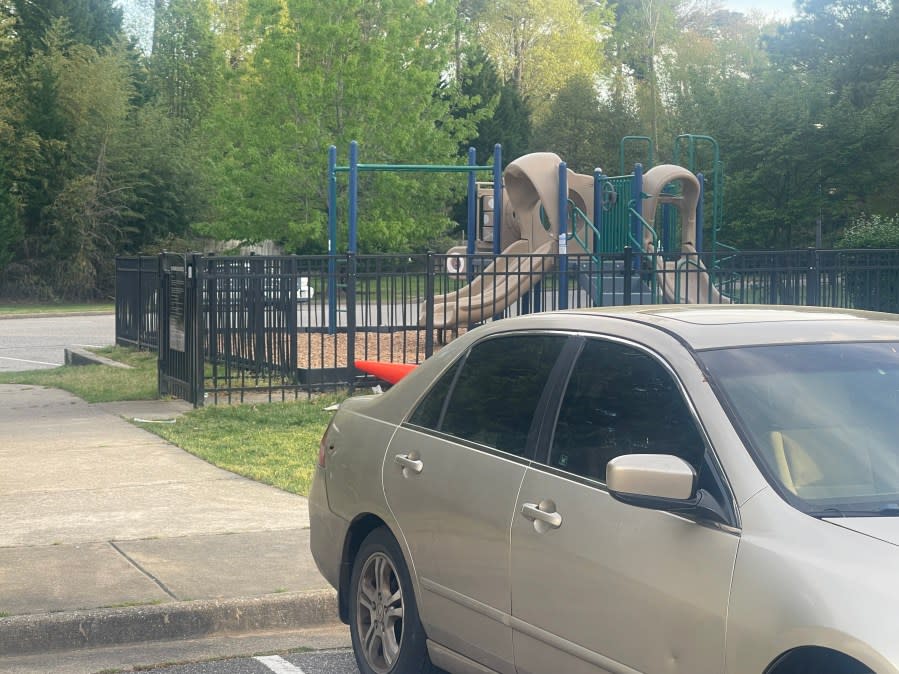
274	443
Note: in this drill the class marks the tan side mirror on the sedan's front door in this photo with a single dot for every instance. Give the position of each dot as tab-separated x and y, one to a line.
660	482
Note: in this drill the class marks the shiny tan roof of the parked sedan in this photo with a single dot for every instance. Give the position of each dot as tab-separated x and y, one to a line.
706	326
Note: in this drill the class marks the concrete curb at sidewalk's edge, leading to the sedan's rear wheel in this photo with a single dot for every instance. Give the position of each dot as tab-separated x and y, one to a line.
30	634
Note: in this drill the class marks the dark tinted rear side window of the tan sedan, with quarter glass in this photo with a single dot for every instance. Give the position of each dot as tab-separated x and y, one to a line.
492	400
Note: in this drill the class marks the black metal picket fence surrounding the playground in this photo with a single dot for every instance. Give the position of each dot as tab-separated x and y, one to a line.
282	326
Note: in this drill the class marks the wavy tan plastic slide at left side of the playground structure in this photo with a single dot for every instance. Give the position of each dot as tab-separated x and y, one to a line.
505	280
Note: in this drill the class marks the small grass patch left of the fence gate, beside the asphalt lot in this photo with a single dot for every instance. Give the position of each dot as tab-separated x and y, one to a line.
98	383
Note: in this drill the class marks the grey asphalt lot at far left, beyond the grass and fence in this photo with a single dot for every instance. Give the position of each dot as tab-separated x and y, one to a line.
39	343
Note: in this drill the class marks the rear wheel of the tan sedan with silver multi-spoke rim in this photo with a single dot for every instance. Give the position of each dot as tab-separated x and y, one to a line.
384	625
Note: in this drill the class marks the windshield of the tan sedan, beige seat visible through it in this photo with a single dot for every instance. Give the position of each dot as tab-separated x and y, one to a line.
822	419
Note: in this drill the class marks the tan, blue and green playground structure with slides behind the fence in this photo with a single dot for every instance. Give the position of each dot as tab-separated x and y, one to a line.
540	212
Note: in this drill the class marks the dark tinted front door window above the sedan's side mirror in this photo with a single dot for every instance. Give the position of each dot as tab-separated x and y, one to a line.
620	400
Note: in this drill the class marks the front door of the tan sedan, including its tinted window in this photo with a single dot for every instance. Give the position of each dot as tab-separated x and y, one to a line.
600	586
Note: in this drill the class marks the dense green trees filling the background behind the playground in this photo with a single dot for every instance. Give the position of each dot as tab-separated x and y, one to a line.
224	128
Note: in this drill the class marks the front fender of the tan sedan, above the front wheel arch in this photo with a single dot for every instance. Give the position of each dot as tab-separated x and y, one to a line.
801	581
